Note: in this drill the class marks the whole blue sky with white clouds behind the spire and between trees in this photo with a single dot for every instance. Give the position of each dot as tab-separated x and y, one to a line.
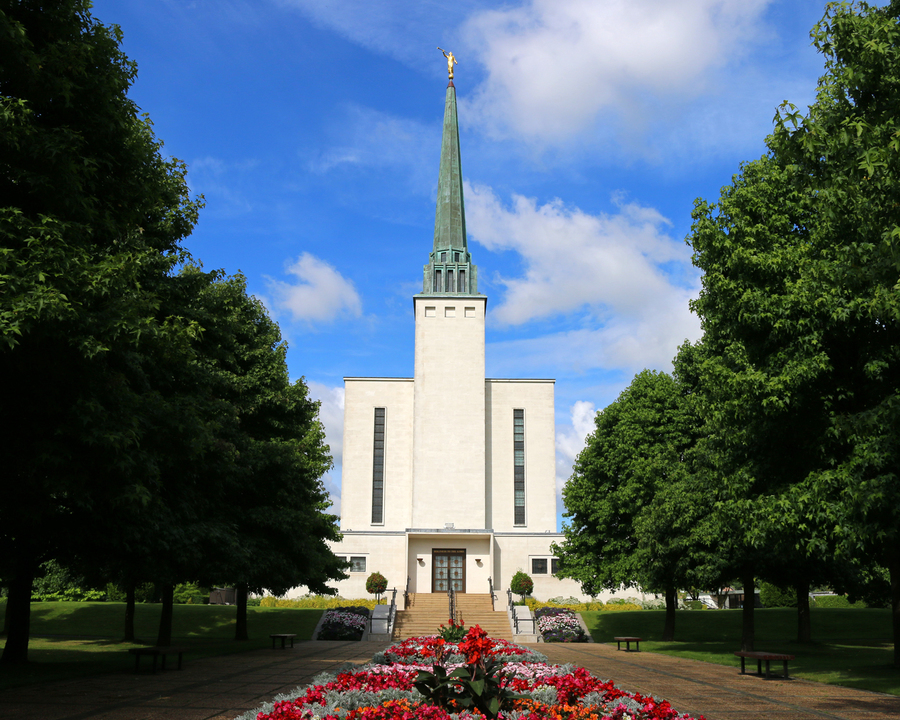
587	128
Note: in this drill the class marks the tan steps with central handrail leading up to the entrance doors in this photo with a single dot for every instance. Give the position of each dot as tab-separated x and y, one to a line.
428	611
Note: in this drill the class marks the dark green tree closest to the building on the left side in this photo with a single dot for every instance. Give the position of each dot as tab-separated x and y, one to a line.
273	507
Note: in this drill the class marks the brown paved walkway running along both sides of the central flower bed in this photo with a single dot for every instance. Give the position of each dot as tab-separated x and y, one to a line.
223	687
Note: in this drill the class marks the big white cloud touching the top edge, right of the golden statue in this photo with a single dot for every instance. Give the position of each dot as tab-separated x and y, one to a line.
555	65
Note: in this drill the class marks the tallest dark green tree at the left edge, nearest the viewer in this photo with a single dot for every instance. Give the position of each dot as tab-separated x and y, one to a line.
91	221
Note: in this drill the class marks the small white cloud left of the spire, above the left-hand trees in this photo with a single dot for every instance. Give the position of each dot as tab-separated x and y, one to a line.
320	295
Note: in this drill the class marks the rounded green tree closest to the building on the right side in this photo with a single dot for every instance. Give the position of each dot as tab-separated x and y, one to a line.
632	500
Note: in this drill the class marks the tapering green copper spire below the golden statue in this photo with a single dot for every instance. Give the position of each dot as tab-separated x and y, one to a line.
450	268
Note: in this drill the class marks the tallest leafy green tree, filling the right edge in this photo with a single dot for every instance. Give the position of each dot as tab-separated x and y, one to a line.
801	311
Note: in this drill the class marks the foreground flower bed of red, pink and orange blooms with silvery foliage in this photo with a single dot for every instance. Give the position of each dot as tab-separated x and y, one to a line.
386	689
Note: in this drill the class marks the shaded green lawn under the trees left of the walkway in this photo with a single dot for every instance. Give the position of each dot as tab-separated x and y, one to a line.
73	639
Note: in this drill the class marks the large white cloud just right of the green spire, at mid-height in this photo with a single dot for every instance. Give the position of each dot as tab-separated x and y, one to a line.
617	266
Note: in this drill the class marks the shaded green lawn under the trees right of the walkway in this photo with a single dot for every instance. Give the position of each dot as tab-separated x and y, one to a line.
850	647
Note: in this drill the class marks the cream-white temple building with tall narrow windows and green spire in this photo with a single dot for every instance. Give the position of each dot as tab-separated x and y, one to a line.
448	476
